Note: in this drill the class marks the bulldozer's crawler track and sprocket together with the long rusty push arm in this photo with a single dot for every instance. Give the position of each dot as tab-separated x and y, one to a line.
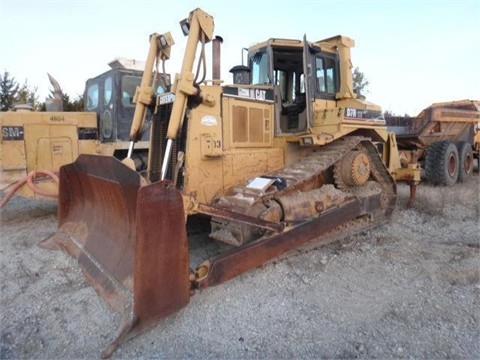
312	199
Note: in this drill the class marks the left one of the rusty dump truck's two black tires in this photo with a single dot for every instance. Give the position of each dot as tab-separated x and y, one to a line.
442	163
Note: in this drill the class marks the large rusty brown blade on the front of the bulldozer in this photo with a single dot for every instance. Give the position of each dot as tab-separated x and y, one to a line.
130	240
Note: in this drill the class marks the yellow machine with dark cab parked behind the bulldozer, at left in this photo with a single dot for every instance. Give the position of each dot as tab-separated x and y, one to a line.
34	145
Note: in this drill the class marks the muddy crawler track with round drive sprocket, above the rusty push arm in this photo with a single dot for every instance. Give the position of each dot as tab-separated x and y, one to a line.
301	191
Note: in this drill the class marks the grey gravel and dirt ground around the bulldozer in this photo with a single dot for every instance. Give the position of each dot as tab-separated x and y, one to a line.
407	289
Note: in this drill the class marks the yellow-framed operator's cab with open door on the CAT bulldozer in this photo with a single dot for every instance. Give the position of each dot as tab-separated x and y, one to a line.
299	72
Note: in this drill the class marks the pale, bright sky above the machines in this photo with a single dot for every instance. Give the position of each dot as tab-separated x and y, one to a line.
413	53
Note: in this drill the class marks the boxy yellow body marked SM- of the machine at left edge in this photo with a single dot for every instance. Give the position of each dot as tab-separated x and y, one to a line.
35	144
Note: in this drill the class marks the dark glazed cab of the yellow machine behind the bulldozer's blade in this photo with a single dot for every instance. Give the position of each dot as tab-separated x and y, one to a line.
110	95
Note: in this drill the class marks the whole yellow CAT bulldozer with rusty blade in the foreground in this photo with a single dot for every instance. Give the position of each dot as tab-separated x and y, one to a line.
285	155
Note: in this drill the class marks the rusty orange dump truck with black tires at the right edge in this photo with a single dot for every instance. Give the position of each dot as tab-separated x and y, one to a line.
444	139
